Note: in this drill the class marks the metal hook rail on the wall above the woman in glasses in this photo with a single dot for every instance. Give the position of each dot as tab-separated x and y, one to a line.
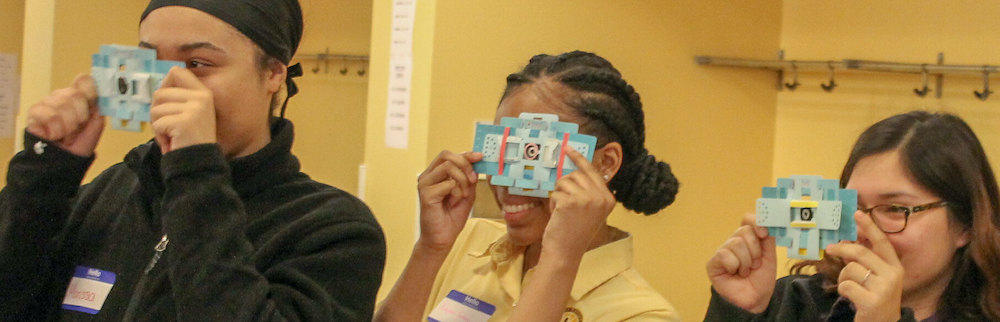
937	70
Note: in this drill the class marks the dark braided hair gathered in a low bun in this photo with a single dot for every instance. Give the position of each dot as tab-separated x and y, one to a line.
613	113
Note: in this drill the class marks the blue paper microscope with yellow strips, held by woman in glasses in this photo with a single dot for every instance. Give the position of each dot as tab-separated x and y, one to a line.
807	213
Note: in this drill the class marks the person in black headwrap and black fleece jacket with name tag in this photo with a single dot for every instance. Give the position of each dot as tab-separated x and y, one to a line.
211	220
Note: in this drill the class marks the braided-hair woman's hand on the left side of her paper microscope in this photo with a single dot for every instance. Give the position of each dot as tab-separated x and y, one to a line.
447	191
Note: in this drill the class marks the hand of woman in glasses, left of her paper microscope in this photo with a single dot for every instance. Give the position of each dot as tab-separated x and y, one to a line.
743	269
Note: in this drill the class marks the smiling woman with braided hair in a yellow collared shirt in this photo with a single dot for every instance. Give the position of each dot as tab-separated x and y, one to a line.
554	257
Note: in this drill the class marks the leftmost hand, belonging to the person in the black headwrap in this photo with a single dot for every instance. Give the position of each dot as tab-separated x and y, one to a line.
69	117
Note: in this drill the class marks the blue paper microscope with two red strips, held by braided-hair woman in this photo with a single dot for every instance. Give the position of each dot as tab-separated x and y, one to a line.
528	153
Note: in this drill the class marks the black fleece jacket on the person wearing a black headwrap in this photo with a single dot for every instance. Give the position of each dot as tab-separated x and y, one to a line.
250	239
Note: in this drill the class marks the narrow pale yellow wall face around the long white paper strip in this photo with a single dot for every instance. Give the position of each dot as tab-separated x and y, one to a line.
392	173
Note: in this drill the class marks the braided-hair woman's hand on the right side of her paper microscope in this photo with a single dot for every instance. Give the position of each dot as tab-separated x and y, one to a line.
580	206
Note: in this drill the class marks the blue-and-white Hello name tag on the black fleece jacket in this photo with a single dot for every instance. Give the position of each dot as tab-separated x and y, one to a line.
88	289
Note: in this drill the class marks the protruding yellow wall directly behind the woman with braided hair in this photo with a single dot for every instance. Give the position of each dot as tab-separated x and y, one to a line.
715	127
